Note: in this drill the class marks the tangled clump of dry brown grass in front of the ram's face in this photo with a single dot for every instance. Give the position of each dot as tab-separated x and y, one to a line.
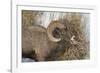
69	49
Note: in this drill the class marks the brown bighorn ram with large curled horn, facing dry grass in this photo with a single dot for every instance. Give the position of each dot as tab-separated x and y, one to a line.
39	41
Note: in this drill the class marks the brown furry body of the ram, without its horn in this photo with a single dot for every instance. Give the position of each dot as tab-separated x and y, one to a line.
35	39
